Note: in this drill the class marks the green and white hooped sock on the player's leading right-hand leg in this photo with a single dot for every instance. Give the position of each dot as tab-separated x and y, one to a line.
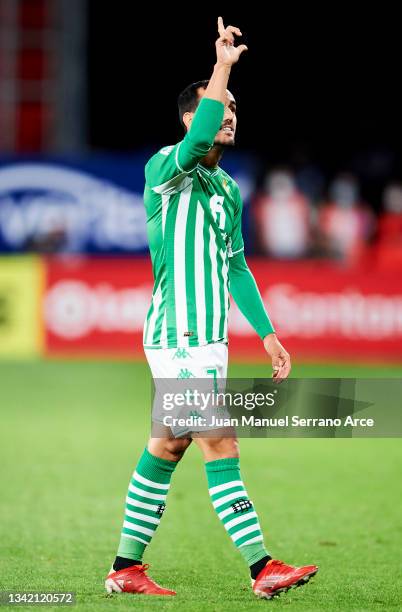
234	509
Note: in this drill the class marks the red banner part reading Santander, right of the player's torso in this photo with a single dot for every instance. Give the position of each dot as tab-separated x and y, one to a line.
322	310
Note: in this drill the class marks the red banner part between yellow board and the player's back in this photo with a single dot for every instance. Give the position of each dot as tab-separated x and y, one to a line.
96	306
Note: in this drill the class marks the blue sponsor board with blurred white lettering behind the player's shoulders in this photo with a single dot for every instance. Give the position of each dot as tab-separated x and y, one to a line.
78	205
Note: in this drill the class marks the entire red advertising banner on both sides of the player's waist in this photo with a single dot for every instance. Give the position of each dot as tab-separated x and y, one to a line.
98	306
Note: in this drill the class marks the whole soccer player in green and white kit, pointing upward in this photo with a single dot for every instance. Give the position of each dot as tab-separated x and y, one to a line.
194	225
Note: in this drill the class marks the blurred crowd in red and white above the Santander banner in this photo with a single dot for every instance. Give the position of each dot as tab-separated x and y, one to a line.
291	220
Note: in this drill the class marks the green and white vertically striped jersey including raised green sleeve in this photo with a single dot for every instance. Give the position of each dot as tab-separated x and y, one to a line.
194	227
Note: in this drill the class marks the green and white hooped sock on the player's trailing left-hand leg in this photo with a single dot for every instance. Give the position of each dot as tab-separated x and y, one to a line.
145	503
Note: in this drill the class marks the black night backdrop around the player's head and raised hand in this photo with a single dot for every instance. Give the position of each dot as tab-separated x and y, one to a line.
320	85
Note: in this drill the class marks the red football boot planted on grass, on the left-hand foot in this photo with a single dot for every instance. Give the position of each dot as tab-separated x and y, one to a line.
133	579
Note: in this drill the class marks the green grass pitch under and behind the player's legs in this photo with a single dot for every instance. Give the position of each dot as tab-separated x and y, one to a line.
71	433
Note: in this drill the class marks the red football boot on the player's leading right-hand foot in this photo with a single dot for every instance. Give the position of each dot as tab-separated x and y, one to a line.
277	577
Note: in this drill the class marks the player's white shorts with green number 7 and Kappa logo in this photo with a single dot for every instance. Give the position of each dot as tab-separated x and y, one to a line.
187	366
